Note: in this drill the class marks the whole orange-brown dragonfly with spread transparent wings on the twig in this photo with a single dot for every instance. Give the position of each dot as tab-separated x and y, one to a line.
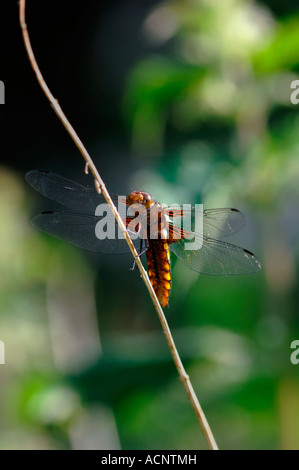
78	225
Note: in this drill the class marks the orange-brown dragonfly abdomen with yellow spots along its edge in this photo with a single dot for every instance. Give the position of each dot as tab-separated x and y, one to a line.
158	263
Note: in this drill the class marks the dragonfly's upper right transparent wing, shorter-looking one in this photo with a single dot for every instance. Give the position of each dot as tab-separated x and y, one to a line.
217	223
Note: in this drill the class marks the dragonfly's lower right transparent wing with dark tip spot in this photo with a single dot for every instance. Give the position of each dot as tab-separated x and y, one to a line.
216	257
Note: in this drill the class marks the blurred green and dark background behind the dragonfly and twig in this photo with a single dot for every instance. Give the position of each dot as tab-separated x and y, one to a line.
190	101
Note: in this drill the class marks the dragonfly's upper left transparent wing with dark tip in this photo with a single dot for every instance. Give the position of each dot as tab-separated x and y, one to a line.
73	195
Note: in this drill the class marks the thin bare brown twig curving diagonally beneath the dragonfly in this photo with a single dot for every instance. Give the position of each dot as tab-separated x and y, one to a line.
100	187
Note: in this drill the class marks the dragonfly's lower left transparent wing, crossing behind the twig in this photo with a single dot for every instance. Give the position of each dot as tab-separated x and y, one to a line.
80	230
